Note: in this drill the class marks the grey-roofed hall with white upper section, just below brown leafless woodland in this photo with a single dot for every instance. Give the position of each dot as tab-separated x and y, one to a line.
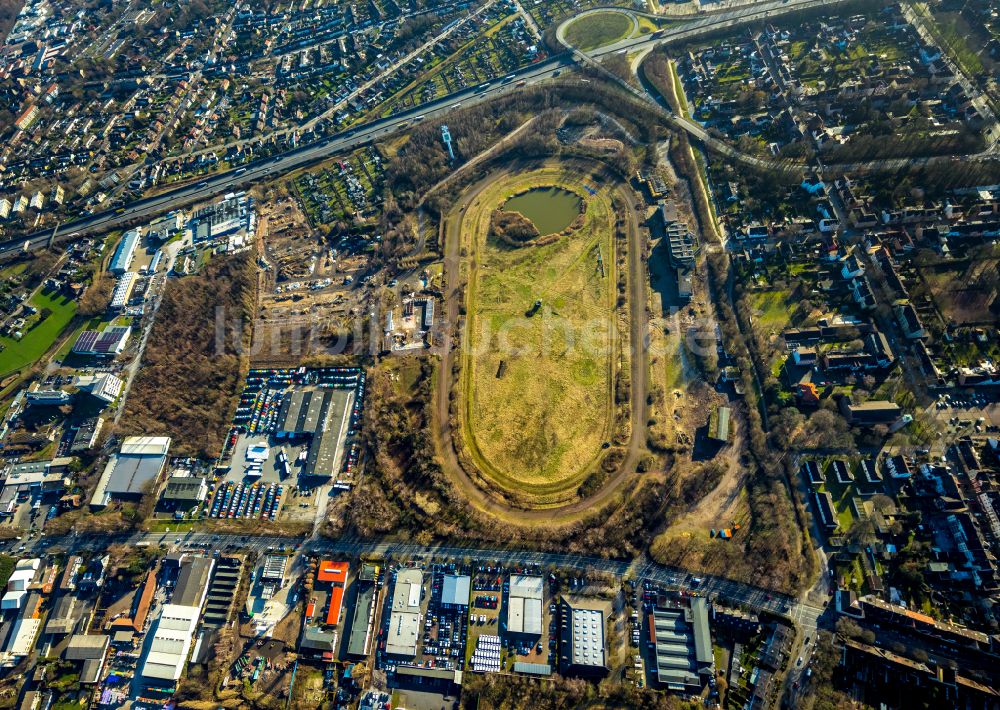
133	471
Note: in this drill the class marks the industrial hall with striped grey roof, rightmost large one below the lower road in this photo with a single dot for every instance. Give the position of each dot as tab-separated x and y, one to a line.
683	644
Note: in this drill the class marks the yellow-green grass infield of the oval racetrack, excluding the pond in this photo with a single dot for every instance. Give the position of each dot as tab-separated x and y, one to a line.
537	379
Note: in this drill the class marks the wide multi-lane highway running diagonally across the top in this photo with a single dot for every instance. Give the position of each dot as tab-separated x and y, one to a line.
267	168
